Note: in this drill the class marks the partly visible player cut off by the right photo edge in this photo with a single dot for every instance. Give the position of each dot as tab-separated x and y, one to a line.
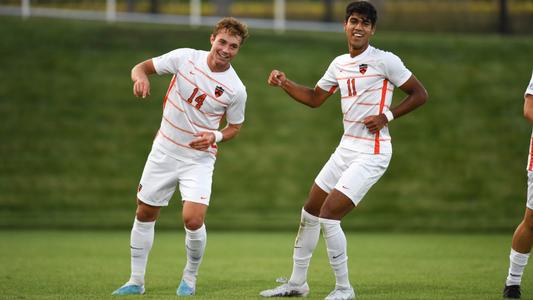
523	236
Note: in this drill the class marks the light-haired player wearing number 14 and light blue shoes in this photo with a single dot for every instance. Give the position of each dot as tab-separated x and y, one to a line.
204	89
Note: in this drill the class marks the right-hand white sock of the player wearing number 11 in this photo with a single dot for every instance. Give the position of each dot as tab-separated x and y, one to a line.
336	247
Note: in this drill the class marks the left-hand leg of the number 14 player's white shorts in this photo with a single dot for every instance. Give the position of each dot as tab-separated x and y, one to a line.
159	179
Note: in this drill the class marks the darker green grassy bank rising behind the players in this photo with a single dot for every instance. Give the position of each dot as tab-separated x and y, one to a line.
74	140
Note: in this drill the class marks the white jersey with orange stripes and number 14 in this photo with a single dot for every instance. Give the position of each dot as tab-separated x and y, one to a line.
197	100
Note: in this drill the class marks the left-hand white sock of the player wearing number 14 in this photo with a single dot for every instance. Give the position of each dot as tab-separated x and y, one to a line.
142	238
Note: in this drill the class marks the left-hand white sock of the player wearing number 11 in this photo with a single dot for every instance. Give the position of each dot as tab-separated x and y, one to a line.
304	246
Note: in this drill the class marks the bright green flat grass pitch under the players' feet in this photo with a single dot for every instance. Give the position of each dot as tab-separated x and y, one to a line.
91	264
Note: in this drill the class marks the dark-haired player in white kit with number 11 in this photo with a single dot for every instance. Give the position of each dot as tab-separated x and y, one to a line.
366	77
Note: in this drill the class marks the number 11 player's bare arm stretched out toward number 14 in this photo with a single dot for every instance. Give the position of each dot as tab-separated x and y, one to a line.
310	97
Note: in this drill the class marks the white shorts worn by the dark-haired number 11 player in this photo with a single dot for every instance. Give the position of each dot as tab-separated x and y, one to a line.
352	173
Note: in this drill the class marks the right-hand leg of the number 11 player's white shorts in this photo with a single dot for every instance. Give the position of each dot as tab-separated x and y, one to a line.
362	174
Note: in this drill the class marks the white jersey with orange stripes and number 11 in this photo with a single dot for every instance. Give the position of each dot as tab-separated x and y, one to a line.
366	84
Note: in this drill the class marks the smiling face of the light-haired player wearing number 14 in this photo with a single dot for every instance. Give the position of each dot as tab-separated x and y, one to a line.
224	46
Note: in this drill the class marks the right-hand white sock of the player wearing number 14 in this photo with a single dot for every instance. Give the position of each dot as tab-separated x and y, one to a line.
195	241
